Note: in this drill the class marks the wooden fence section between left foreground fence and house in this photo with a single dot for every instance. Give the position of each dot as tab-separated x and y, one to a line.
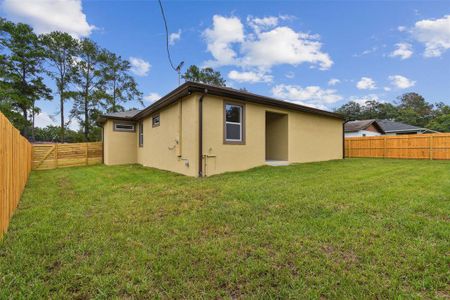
51	156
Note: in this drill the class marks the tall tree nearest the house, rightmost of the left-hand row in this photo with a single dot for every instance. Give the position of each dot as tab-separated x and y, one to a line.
118	86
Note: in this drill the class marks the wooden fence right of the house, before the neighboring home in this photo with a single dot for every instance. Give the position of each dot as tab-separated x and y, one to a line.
411	146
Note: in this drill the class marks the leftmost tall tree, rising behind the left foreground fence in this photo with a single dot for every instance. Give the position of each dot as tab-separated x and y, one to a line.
23	70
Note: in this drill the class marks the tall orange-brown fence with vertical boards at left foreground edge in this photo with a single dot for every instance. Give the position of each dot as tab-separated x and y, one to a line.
15	166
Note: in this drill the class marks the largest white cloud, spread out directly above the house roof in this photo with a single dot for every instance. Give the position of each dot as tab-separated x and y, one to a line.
264	47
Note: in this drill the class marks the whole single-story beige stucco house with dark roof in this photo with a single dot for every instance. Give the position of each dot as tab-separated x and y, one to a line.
201	130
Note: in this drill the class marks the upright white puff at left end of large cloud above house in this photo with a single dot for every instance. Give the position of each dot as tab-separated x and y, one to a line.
221	36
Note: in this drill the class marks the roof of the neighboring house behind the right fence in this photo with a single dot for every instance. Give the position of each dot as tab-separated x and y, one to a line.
385	126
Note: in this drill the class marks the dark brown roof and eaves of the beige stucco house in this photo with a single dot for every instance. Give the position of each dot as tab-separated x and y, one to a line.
188	88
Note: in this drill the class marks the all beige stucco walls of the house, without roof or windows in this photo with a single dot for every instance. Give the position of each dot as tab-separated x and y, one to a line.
174	144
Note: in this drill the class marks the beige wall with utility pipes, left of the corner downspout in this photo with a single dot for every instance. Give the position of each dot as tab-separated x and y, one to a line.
173	145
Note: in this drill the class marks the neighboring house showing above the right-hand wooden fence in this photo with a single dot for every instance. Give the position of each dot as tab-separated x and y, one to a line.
381	127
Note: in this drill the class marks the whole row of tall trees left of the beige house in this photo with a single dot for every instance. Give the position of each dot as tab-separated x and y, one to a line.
93	78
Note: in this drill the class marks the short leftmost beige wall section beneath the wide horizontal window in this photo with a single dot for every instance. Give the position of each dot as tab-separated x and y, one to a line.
119	146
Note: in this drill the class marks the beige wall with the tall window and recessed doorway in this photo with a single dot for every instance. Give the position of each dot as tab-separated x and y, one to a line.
311	137
